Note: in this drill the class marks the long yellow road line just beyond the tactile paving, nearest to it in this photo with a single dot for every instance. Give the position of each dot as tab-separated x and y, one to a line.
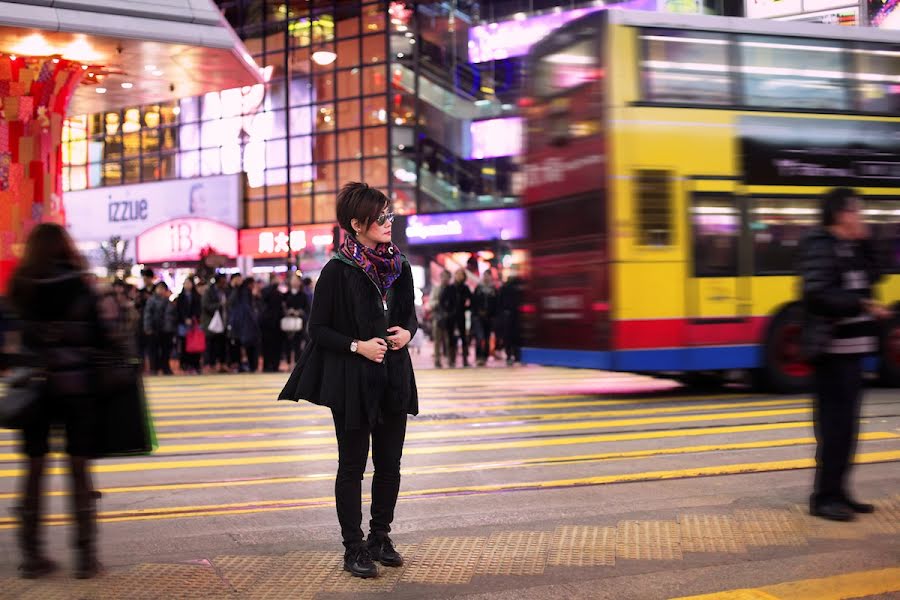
177	512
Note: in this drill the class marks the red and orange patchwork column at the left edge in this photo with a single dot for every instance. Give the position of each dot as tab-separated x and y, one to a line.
34	97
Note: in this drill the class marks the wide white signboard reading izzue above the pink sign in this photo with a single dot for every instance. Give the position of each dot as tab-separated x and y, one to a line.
129	210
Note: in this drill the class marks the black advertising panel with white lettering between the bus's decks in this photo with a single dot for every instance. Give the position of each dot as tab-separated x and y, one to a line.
786	151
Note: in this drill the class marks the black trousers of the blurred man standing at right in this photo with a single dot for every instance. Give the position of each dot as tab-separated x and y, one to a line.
838	386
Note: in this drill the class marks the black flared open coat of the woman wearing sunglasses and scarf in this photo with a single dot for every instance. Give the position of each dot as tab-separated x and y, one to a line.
347	307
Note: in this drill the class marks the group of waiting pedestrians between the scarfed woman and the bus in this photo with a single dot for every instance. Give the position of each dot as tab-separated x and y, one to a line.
489	314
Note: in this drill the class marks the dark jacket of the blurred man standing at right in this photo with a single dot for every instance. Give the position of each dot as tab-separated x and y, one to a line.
823	297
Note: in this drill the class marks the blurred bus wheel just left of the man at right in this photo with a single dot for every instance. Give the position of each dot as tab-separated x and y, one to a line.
784	370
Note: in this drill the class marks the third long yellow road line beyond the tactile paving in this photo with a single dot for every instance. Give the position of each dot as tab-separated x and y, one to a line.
150	465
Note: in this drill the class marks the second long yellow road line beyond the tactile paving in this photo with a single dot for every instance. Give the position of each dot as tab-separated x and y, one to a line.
495	465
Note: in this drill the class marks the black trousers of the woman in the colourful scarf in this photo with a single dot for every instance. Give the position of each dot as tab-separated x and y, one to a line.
353	452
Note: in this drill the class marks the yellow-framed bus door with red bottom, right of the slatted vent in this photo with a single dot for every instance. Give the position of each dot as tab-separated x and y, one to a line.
719	286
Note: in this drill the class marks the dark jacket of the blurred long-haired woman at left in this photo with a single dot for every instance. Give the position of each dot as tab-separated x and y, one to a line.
61	325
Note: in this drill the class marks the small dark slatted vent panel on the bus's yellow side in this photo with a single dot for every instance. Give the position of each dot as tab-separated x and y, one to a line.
654	207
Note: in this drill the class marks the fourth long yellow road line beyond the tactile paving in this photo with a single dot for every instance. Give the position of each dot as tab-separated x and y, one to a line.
272	444
